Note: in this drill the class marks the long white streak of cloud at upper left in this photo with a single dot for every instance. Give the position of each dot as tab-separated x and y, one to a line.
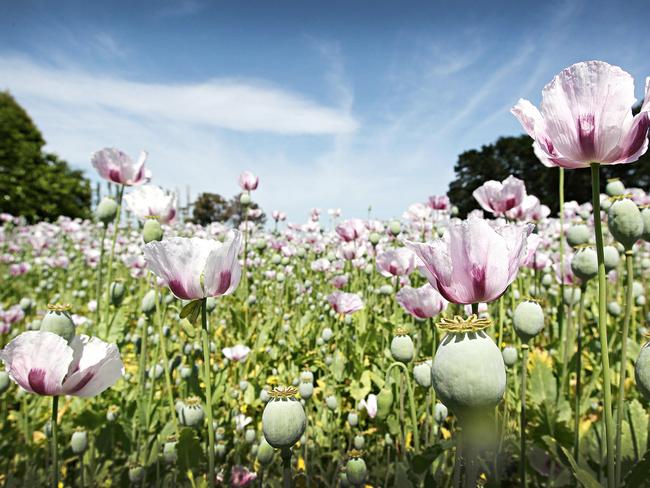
234	104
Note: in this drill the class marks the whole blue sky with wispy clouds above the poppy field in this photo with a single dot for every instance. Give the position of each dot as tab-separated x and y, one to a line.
334	104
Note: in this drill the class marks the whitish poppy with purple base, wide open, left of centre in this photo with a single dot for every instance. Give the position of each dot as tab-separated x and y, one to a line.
195	268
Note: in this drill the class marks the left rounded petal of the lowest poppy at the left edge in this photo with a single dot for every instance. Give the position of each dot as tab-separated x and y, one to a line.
38	361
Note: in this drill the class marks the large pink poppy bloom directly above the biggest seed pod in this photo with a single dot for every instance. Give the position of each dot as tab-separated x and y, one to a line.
474	262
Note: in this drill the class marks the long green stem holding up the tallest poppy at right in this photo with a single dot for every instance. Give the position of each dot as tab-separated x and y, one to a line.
602	325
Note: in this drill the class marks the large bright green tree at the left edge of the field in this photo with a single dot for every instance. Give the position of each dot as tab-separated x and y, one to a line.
35	184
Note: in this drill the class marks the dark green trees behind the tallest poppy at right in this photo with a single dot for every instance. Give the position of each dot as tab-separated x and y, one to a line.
515	156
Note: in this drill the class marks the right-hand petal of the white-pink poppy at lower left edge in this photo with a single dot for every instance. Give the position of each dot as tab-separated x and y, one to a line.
100	366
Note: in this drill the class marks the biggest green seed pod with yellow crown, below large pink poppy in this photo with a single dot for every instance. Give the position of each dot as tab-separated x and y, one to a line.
469	374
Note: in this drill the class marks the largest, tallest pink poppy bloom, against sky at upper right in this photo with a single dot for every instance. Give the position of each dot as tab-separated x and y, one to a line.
586	116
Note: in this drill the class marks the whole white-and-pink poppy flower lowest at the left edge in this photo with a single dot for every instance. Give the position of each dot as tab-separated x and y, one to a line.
44	363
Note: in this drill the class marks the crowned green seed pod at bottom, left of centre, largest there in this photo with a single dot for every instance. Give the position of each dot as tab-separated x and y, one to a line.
283	419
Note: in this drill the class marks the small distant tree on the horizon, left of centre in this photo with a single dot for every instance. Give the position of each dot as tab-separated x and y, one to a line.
212	207
